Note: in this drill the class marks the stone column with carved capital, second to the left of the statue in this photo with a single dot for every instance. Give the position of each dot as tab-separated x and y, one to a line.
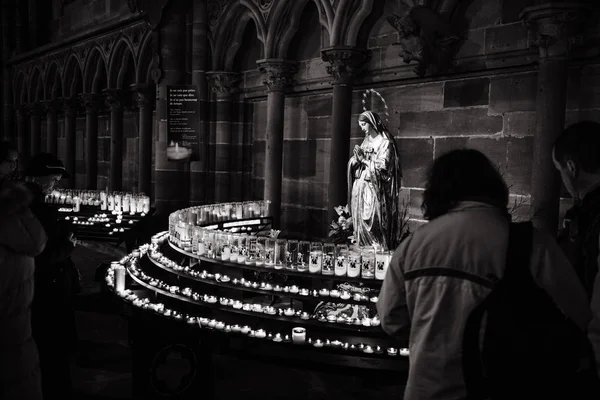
278	76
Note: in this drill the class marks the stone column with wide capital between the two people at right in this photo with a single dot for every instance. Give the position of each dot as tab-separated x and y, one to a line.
553	27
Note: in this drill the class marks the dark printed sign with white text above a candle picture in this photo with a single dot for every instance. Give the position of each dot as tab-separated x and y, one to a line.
183	119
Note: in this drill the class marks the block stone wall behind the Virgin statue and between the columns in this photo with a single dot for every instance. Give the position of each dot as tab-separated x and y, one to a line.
487	103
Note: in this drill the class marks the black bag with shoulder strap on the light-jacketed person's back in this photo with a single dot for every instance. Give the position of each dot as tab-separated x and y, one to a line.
529	348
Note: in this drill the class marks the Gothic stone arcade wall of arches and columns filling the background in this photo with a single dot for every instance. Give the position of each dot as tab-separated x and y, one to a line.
281	83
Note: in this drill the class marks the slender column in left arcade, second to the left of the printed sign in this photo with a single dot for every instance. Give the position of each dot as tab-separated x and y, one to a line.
114	101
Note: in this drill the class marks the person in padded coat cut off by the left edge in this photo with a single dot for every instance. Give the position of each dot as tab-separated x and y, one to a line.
22	238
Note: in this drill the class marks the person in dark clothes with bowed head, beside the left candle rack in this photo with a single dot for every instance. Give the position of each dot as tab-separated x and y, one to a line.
55	280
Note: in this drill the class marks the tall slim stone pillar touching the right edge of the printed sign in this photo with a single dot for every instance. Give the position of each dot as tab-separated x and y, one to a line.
200	63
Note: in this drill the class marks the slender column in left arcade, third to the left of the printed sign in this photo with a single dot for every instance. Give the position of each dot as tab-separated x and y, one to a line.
91	102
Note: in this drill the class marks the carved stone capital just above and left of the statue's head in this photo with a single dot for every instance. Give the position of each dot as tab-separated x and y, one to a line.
345	63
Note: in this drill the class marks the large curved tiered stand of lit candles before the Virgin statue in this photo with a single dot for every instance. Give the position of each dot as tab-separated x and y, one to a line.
209	285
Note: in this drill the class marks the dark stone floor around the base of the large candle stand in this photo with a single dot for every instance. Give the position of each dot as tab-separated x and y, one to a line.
102	368
